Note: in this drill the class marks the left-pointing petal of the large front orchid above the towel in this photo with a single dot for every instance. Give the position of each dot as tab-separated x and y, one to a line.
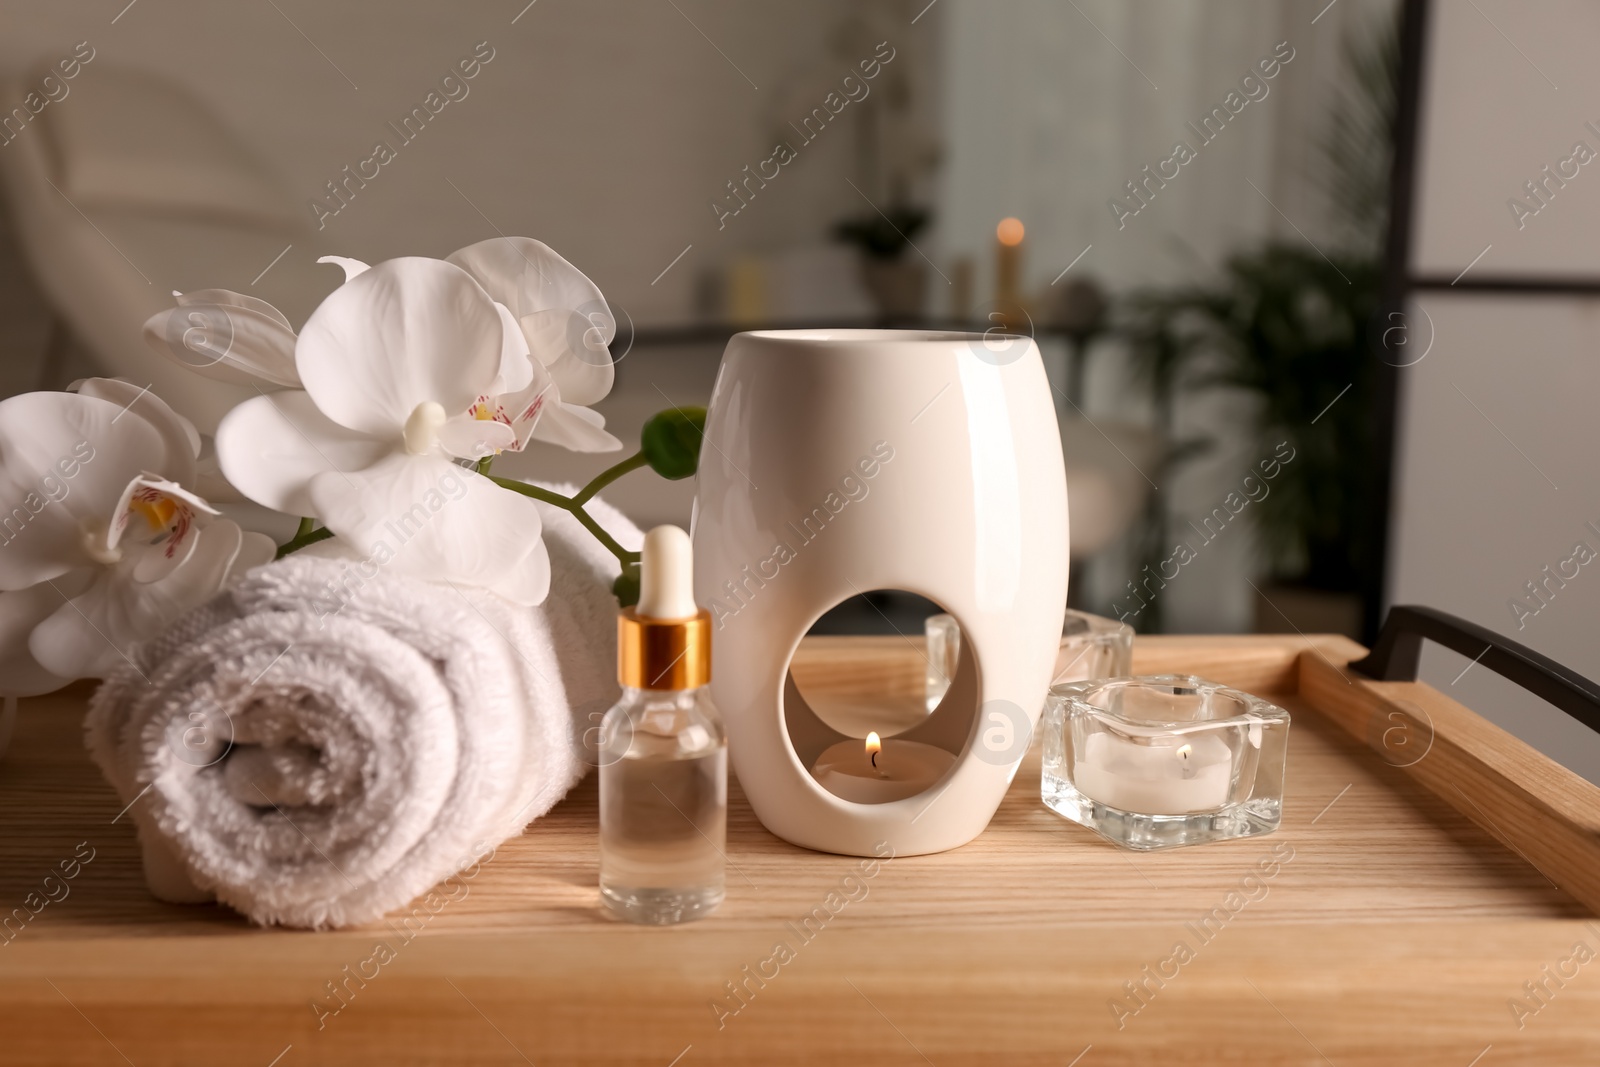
271	447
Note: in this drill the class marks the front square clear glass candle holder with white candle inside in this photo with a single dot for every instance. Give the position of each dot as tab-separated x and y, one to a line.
1164	761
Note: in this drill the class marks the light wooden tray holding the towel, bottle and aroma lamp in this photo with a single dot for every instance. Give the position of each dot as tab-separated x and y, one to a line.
1399	917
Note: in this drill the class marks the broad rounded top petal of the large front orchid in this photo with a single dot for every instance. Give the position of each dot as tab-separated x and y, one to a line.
401	335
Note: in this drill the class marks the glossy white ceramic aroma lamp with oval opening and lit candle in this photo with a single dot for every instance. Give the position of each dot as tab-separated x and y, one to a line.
846	462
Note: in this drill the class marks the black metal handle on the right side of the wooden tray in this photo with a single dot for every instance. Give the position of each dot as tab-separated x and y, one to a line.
1399	649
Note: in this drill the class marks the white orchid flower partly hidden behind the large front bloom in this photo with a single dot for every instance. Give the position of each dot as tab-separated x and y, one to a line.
556	316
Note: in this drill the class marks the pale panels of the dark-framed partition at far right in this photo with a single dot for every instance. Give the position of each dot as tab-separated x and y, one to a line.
1497	465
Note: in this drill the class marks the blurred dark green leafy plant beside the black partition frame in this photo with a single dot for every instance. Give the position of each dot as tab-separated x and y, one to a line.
1289	326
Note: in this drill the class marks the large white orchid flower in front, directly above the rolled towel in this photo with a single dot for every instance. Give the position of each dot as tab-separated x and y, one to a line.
393	364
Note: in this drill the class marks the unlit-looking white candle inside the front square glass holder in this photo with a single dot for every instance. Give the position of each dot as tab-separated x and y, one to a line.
1175	775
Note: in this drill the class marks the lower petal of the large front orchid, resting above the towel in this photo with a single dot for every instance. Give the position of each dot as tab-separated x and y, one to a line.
426	518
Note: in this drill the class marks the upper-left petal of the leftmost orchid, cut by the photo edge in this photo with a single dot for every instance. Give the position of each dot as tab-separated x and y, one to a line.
65	462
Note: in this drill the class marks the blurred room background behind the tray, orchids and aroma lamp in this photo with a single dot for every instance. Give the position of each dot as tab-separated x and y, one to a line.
1308	356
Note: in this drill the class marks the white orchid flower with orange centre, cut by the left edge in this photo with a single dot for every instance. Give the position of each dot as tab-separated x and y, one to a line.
102	545
